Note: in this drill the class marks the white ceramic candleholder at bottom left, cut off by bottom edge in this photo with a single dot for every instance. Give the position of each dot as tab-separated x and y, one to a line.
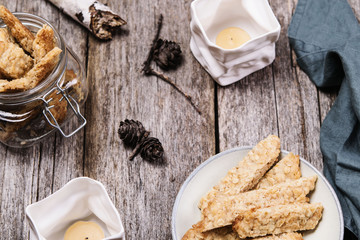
80	199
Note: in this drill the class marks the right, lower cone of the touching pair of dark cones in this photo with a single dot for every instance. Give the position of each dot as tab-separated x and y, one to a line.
151	149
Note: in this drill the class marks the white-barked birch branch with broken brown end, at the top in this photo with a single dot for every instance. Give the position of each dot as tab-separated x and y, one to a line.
95	16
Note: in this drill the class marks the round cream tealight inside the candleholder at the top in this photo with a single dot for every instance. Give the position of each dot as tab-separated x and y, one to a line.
232	37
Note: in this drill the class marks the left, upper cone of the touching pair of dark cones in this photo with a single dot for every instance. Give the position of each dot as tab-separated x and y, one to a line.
132	132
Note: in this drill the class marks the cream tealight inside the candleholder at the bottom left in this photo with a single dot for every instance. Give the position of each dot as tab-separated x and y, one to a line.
84	231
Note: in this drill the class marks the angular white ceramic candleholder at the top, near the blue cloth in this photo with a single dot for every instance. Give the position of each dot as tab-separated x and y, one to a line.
209	17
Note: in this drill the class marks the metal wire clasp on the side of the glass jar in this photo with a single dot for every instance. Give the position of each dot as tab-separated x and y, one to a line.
71	102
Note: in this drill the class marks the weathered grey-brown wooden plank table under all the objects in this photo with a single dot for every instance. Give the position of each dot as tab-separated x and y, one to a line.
279	99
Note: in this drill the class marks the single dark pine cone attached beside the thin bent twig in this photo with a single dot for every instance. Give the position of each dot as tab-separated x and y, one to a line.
167	54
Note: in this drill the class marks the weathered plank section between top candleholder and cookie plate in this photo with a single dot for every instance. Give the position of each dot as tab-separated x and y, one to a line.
247	110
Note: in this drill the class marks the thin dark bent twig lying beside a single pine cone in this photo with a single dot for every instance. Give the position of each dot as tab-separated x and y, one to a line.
148	70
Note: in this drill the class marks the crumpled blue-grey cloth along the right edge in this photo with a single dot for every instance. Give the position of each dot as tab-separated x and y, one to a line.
325	35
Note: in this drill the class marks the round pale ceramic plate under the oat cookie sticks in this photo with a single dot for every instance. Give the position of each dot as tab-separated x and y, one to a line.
186	213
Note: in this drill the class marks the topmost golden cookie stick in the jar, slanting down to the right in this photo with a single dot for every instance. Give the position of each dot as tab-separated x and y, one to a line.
17	29
